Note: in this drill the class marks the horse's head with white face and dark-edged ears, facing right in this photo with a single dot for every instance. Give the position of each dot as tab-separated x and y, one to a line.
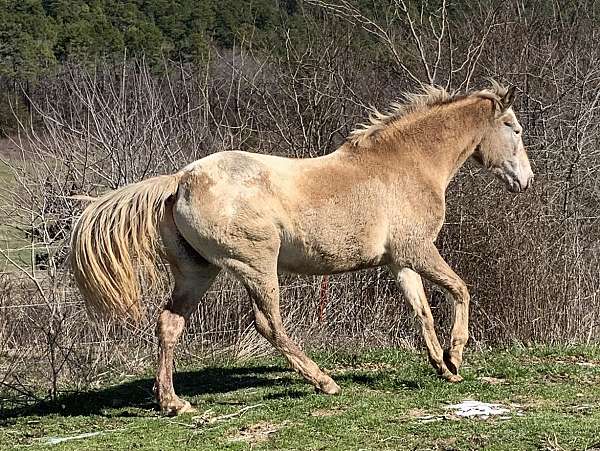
501	150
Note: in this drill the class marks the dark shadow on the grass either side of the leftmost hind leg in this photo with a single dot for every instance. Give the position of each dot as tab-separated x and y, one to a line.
124	399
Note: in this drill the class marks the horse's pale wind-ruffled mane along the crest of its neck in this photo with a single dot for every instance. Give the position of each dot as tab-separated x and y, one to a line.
430	96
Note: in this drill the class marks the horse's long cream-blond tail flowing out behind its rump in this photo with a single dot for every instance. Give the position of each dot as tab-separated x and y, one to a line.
116	234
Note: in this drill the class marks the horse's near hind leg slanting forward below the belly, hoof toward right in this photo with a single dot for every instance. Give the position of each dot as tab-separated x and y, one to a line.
263	288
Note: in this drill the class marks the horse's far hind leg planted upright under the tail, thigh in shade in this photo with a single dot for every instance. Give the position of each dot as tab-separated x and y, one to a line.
193	276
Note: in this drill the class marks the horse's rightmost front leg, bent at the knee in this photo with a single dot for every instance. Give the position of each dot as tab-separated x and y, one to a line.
432	266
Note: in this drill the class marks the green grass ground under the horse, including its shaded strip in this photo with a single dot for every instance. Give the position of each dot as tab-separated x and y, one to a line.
384	395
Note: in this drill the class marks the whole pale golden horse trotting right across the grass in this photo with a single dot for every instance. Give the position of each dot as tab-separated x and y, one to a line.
377	200
